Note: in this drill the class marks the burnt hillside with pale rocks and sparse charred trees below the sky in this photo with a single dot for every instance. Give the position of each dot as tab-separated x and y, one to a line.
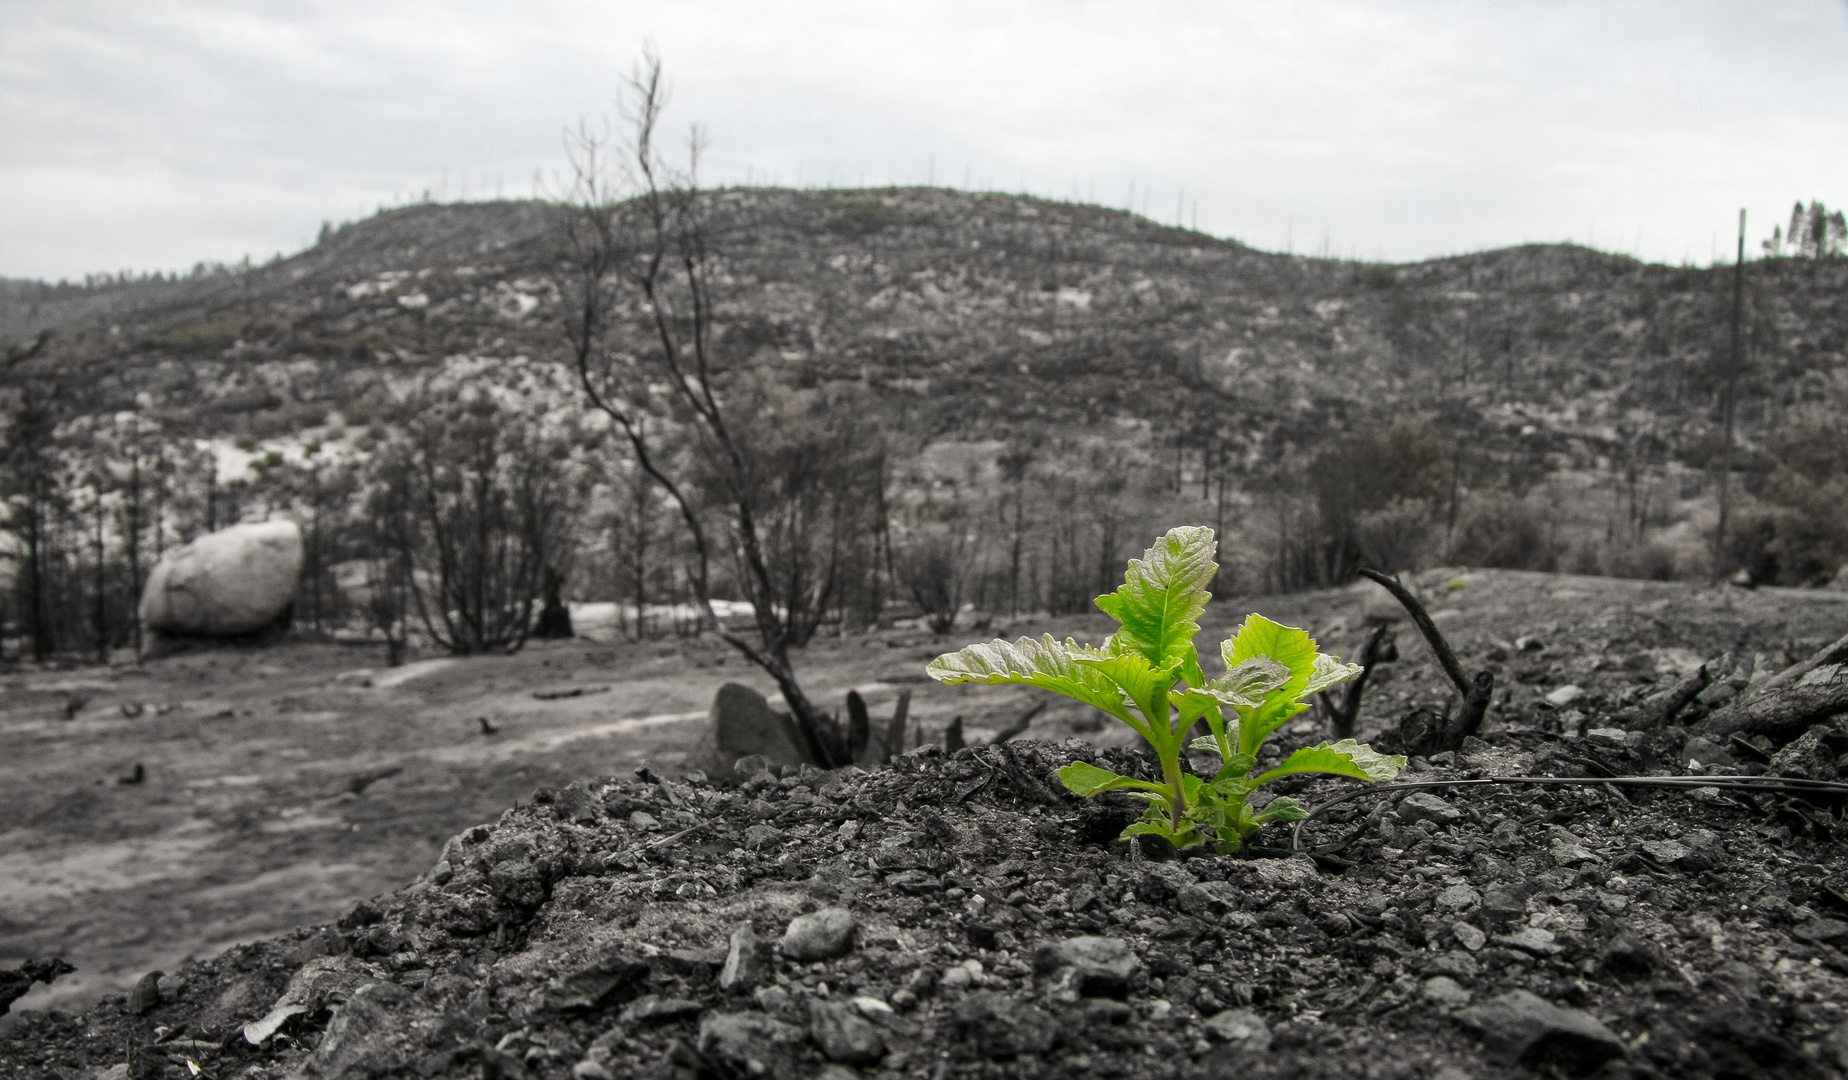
1540	408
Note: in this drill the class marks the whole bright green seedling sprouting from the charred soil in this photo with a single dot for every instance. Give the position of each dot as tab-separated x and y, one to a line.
1149	676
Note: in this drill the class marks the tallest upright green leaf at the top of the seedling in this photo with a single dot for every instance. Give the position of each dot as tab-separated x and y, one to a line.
1163	598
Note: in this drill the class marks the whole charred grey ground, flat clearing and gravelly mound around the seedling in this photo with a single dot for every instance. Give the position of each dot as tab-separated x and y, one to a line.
542	909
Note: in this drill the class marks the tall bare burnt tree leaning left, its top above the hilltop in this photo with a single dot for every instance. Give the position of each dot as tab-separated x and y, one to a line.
638	252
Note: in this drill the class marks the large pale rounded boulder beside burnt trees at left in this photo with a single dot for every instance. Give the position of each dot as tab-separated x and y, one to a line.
228	583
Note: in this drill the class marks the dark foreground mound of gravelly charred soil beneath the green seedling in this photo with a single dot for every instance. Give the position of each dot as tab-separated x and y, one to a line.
1481	933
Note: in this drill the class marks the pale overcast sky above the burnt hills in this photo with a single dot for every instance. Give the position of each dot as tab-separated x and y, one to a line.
152	134
